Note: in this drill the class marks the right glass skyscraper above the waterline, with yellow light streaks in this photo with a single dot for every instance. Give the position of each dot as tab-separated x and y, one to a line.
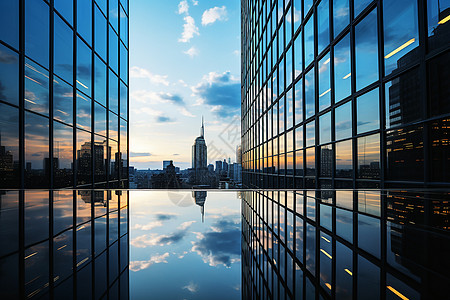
345	93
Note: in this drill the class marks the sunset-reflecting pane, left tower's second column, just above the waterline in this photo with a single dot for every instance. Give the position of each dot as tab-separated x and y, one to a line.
36	151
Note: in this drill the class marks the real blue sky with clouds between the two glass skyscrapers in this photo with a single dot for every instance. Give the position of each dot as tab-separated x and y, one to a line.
184	63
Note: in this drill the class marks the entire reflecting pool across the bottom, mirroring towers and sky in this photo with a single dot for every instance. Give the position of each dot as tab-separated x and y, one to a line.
266	244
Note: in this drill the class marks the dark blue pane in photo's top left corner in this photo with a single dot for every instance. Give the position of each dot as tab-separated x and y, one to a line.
9	22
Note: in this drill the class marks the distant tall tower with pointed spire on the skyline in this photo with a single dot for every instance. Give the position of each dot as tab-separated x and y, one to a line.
199	157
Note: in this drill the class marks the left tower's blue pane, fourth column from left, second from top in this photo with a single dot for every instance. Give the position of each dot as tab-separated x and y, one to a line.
84	68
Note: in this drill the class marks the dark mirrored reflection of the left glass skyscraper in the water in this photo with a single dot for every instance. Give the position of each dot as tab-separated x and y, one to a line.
70	244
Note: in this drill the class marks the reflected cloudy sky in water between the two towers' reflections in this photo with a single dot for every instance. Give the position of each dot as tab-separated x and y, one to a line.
168	240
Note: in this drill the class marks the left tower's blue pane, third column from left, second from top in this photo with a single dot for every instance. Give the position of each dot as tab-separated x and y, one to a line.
63	50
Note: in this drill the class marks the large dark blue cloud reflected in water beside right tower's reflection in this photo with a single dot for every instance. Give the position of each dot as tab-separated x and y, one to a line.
221	246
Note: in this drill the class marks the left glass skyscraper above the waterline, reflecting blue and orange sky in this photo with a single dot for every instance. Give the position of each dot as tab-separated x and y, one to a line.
63	93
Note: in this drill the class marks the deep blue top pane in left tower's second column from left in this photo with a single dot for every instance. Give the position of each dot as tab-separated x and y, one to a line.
37	39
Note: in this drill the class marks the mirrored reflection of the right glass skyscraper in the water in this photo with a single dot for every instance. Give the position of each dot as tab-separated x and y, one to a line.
344	244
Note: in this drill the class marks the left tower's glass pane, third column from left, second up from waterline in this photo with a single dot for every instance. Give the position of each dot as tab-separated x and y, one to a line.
62	101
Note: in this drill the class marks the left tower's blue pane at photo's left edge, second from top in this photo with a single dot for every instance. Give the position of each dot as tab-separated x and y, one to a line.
9	75
